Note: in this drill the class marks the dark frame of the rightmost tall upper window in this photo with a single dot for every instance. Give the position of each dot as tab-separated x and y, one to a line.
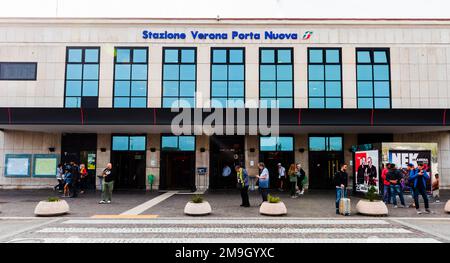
372	64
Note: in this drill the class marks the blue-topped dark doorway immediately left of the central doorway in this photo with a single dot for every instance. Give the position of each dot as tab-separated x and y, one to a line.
177	163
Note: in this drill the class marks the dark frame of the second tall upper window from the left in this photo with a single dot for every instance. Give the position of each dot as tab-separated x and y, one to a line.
131	62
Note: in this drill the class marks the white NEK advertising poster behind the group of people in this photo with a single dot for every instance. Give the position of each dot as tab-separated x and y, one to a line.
401	158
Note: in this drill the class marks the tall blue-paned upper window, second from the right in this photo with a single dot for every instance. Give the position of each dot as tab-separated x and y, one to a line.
324	78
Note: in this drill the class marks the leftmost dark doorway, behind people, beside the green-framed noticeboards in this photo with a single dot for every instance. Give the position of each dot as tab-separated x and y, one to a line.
82	149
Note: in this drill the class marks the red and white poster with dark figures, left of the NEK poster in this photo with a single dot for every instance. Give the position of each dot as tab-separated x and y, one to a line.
366	164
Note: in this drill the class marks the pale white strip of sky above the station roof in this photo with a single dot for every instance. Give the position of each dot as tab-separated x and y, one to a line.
227	8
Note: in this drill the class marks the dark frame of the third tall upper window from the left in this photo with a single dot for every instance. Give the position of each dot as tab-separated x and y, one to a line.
179	63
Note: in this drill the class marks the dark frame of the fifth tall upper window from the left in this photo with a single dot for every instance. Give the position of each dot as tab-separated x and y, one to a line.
275	63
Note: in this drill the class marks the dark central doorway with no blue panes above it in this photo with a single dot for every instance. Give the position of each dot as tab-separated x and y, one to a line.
225	151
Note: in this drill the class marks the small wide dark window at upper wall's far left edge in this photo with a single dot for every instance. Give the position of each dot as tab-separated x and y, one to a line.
18	71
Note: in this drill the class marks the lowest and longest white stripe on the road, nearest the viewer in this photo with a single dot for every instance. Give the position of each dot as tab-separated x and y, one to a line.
373	239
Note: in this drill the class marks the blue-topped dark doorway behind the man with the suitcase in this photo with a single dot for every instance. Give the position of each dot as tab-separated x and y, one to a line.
325	157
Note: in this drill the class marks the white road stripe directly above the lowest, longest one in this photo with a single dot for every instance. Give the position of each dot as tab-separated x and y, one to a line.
219	230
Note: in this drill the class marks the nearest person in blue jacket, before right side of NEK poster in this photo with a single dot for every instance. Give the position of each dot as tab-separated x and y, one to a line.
419	177
